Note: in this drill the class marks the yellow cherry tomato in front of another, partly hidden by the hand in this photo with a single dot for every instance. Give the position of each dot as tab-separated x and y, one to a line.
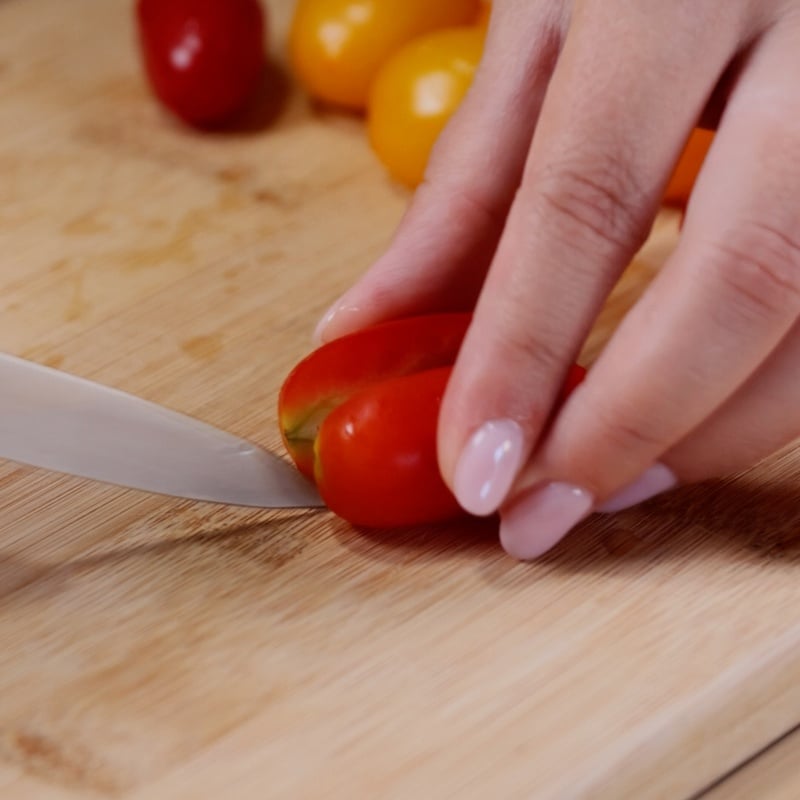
415	94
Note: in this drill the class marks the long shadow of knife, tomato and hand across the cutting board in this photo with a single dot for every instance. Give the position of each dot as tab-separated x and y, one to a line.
750	517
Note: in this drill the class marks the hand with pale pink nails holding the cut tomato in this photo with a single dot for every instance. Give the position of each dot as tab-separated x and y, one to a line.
537	196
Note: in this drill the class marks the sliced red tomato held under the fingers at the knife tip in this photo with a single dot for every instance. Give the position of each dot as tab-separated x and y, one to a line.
359	416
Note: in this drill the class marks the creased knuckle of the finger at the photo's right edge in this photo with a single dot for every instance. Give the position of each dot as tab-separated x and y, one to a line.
759	268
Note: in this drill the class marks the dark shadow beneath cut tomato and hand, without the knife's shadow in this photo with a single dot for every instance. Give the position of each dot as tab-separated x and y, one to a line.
733	518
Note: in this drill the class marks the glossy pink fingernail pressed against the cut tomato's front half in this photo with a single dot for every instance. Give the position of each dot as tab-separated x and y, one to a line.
488	466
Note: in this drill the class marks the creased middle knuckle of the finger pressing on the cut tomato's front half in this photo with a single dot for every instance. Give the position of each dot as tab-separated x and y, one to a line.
600	201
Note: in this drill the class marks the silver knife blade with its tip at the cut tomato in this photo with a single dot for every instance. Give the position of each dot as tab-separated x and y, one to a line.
59	422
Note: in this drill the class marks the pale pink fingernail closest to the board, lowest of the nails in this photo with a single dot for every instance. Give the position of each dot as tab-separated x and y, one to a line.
541	519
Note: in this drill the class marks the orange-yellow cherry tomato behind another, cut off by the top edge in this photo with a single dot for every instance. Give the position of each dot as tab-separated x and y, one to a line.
337	46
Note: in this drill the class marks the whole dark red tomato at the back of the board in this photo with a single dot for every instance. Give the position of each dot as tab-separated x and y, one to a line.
203	58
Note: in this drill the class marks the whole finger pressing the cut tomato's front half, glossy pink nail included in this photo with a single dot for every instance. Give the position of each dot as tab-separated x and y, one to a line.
618	110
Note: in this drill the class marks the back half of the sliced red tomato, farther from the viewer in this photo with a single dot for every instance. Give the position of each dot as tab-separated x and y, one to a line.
338	369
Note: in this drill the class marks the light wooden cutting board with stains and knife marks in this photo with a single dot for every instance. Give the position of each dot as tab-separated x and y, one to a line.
153	648
